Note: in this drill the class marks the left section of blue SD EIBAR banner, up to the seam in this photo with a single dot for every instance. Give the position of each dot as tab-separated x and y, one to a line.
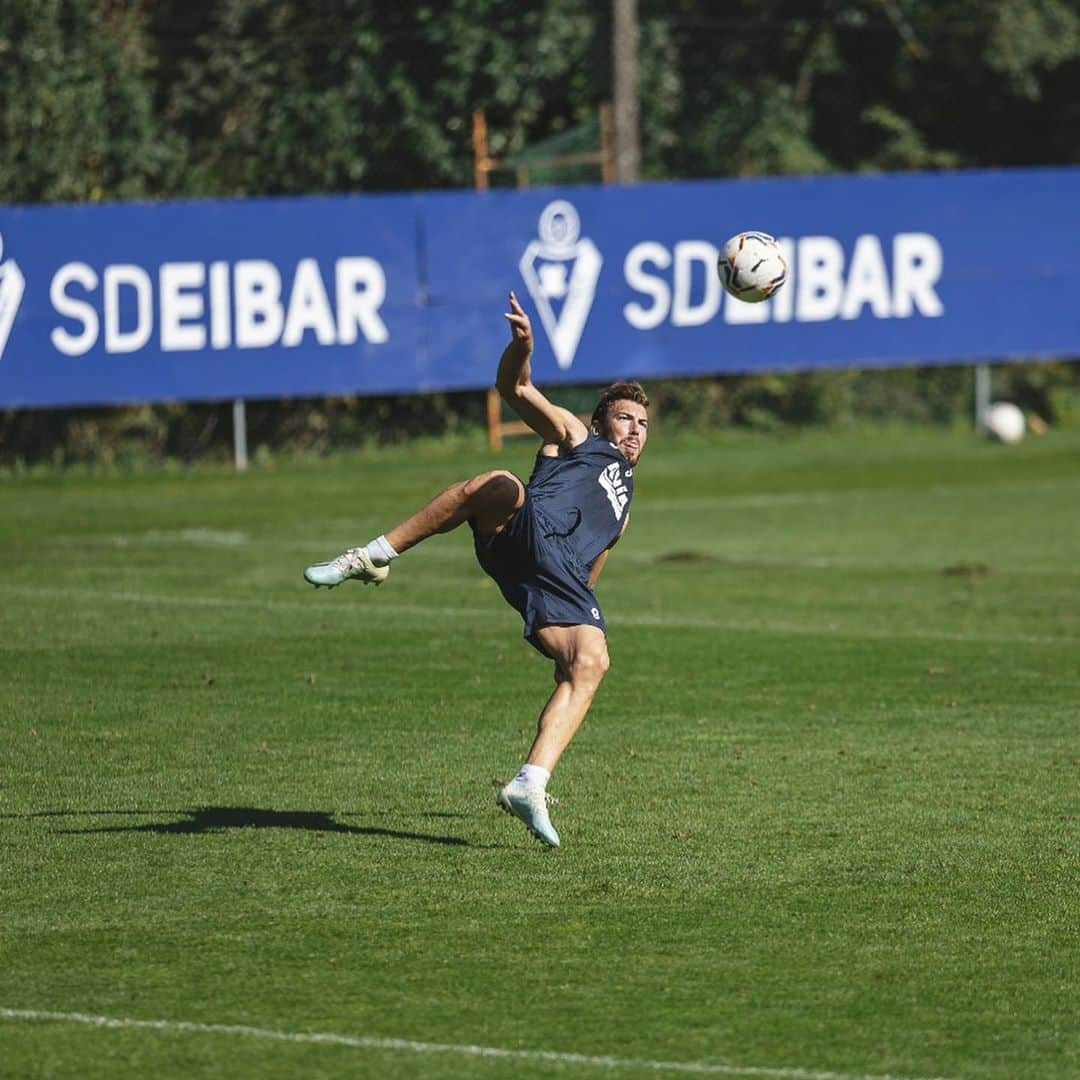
197	301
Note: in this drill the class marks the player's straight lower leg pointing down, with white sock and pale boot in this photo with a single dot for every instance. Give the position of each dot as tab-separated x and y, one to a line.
582	661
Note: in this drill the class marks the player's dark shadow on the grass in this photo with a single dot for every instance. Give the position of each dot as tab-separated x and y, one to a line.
219	819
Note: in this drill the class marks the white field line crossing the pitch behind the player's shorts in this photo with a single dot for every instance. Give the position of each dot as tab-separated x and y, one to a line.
498	612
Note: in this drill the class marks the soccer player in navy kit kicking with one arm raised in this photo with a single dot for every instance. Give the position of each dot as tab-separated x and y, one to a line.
545	545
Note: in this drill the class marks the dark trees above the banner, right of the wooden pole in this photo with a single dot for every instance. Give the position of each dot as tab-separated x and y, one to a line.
780	87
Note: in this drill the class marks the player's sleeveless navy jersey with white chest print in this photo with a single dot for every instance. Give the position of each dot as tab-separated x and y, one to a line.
585	494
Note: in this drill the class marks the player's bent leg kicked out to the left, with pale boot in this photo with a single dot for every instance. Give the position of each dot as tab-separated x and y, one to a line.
490	501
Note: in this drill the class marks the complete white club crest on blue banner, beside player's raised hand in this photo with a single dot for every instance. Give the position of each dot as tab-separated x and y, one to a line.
561	271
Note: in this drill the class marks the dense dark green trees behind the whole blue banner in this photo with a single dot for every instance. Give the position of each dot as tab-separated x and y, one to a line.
112	100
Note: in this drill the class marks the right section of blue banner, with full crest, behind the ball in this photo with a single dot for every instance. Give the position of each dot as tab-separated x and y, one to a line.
885	272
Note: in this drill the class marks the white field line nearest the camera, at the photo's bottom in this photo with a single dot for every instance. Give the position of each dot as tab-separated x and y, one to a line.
373	1043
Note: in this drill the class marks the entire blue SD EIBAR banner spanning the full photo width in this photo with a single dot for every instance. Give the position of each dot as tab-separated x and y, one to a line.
377	294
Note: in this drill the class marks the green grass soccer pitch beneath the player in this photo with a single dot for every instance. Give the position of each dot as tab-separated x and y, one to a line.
821	822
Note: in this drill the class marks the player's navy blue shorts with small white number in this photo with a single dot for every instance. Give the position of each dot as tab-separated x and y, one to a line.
539	574
